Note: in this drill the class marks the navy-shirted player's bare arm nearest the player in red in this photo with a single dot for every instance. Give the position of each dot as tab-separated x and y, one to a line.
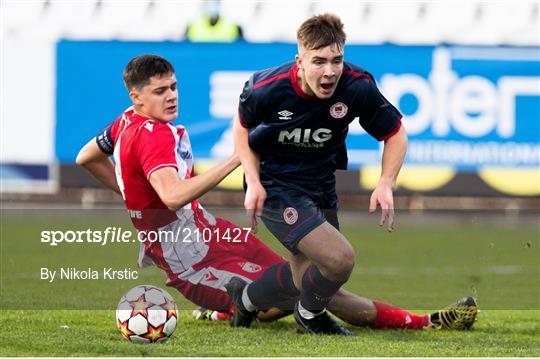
255	193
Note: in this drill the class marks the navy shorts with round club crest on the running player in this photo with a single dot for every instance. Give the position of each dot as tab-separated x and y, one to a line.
290	213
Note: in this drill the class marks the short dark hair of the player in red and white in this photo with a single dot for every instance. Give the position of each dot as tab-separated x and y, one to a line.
141	69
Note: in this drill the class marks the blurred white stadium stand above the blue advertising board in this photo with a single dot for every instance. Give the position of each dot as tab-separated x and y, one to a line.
406	22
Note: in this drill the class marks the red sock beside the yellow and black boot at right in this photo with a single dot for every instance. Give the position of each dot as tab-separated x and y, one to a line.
389	316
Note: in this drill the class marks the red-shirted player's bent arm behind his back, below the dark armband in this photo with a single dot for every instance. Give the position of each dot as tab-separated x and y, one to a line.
98	164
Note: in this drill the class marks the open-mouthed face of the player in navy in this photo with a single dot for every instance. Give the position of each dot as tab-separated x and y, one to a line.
320	70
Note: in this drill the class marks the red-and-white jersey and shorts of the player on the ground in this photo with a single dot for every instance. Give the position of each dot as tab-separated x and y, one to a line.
202	254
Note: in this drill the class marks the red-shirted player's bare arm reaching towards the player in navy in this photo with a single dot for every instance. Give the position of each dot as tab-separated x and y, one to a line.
175	192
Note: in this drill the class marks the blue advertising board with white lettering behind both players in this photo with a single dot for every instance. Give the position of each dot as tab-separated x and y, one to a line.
464	107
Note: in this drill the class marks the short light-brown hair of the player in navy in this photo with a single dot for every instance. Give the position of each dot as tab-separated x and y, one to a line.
320	31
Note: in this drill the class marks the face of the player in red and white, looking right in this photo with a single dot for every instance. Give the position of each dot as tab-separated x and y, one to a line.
158	99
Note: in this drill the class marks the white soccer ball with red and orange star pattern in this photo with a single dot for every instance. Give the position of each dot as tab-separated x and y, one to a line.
146	314
